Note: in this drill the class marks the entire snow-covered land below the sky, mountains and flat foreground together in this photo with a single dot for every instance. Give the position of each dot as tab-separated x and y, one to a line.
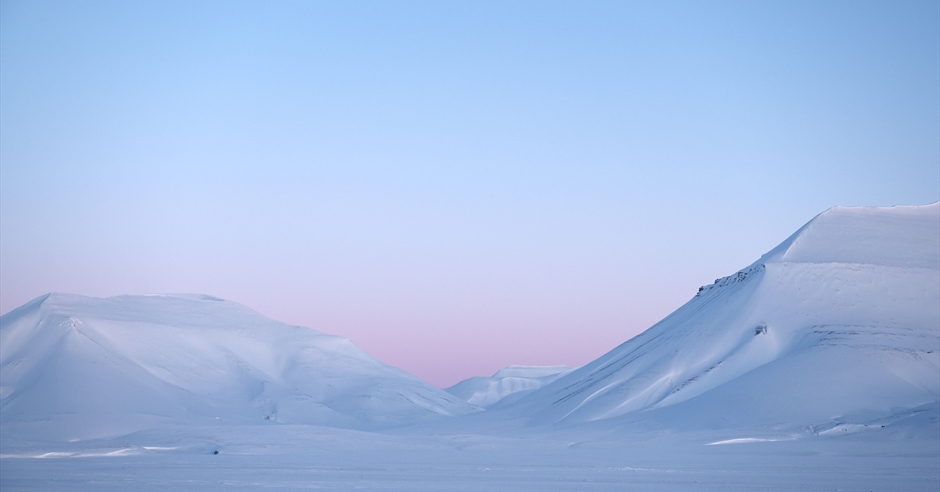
815	368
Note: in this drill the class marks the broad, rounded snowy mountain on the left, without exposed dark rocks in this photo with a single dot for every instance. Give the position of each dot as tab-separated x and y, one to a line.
80	367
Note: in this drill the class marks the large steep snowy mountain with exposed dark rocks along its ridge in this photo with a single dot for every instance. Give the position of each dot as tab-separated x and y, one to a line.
839	323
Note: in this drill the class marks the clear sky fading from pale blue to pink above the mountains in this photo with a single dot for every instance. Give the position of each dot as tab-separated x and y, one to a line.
454	186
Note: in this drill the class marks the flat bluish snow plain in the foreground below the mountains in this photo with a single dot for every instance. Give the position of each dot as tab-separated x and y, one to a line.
287	457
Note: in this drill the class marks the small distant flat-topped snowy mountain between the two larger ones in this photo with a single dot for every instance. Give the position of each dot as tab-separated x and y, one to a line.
512	380
